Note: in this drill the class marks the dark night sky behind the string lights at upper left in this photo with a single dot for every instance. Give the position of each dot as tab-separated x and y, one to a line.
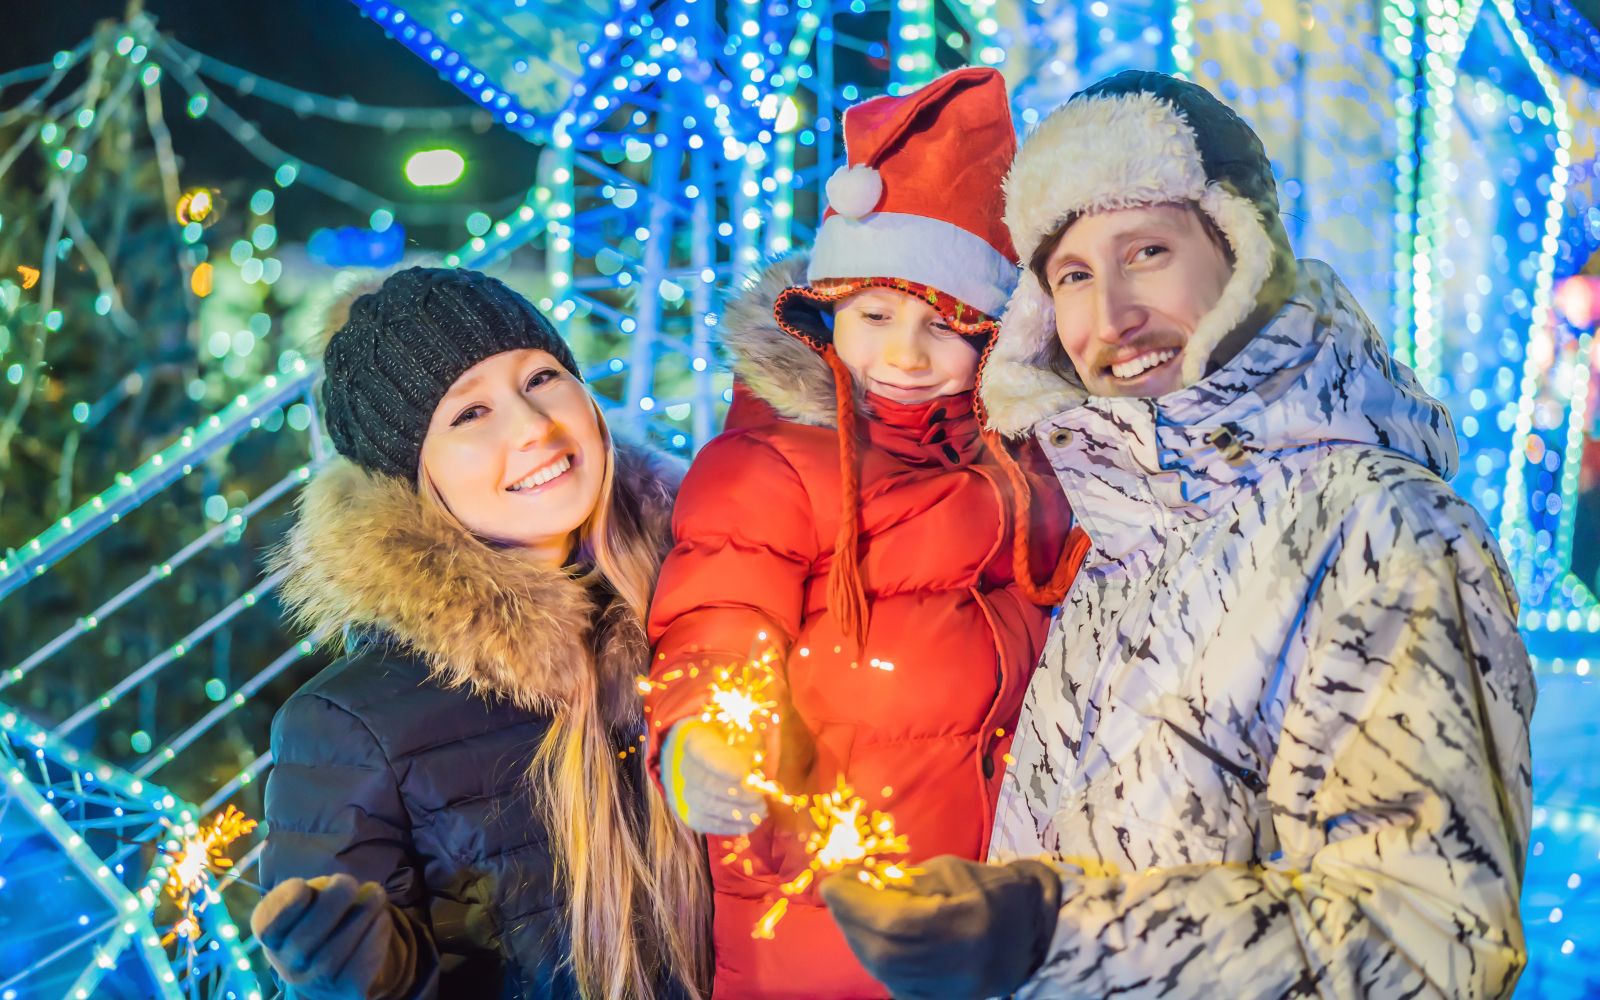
318	46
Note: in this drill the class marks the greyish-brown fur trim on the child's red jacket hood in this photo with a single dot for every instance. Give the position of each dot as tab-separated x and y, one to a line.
775	366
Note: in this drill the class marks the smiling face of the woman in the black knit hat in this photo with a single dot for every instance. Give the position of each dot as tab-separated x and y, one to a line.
518	454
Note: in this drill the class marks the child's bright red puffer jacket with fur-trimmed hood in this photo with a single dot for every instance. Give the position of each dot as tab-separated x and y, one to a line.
919	719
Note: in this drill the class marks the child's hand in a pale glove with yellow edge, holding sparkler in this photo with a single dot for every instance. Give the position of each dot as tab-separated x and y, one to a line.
705	778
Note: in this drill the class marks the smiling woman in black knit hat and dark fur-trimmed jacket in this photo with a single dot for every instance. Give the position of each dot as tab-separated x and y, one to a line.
458	806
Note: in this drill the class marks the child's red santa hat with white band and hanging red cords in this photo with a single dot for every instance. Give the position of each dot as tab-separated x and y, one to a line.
918	209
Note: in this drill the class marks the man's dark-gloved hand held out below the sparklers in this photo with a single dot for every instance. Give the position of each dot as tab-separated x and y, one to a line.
959	930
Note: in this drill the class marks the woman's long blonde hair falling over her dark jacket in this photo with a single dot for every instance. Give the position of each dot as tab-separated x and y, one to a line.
638	890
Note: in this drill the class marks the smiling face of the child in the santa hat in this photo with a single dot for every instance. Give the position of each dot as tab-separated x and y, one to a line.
900	348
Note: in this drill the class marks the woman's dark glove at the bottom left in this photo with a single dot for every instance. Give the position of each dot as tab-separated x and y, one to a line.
335	938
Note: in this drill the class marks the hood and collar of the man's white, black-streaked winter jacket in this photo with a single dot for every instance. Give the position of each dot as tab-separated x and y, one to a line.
1318	374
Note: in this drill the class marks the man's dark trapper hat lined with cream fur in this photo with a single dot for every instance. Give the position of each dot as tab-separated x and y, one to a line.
1132	140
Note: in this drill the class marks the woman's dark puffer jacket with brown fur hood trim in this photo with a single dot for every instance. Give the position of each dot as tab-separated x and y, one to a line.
407	761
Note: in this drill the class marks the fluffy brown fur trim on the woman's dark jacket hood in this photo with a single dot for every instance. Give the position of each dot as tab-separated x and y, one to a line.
369	551
